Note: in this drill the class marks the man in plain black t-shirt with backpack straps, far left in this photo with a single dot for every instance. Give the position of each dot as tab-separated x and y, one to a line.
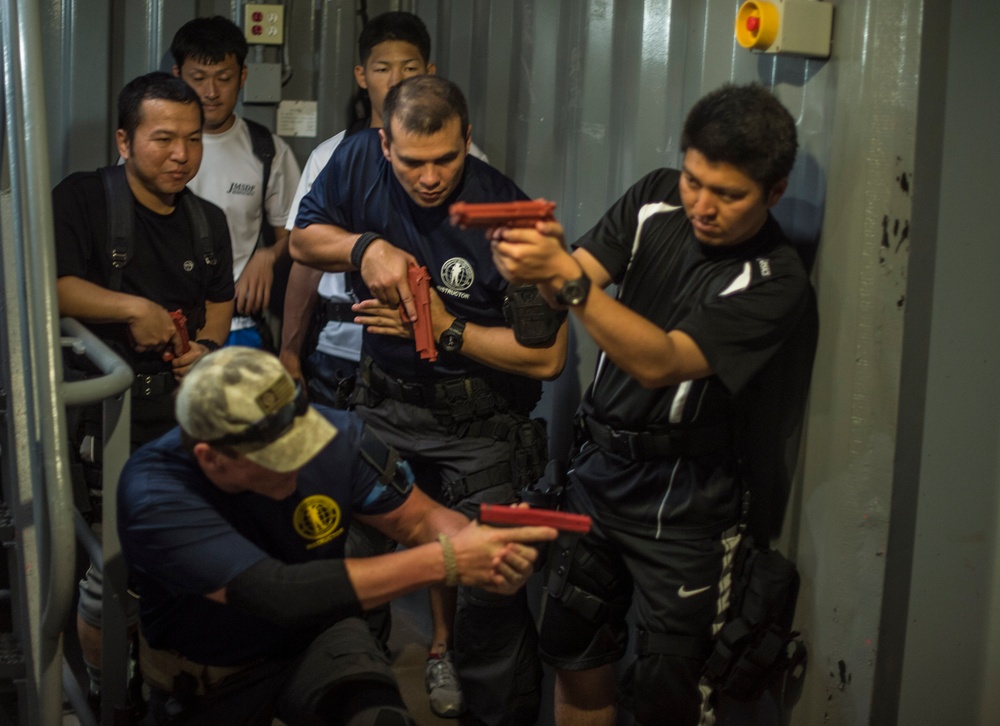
167	266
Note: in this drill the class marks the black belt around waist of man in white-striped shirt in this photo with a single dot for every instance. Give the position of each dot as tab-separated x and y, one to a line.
646	445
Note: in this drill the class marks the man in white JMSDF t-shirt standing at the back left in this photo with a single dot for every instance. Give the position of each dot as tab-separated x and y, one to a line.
209	55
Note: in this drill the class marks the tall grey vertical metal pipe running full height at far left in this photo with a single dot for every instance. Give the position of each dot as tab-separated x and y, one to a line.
35	236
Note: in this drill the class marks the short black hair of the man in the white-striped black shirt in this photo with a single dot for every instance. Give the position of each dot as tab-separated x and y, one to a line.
746	126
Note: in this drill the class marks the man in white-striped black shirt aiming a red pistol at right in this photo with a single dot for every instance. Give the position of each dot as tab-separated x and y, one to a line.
709	295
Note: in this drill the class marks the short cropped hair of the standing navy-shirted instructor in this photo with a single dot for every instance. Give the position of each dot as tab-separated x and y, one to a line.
423	105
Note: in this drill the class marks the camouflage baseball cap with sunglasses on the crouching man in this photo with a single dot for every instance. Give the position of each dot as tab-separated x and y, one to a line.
243	399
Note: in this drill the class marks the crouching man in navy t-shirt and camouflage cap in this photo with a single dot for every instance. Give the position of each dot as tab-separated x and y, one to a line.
233	528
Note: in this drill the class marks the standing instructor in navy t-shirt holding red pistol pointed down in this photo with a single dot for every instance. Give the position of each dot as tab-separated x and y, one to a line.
463	420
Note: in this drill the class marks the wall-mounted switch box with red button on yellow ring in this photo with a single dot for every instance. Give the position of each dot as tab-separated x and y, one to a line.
794	27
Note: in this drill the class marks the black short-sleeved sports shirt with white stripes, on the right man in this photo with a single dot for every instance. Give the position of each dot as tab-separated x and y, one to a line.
738	303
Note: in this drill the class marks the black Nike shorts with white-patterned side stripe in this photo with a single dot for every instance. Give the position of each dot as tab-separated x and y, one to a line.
674	586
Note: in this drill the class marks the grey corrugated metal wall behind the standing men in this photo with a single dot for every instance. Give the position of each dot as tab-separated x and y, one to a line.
574	99
